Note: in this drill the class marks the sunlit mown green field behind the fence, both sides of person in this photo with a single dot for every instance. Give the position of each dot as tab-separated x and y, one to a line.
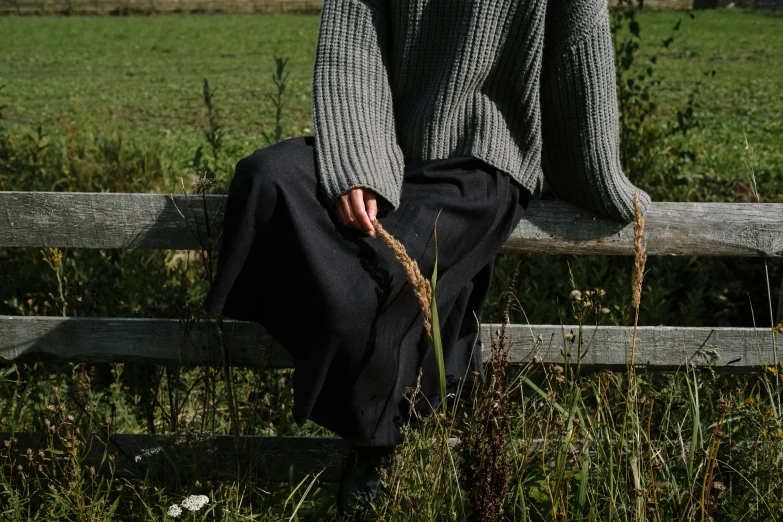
142	75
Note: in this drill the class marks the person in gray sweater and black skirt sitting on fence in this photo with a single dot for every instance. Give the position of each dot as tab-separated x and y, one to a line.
441	111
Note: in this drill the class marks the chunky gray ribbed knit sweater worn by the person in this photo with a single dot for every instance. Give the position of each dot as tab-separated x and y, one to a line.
528	86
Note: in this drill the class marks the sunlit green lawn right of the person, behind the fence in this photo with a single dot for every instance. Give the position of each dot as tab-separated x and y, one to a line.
744	97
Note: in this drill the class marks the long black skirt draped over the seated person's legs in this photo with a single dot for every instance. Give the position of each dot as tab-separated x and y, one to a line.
339	301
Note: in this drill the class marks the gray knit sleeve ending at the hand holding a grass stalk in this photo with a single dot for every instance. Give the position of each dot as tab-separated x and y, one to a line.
355	137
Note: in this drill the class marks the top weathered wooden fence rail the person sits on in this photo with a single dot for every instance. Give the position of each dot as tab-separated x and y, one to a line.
109	220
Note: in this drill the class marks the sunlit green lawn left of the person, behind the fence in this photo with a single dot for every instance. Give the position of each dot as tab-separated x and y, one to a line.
143	75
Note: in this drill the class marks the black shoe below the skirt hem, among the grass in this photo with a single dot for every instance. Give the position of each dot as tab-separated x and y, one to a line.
360	481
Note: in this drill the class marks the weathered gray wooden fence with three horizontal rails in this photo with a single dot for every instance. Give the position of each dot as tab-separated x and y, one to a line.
182	222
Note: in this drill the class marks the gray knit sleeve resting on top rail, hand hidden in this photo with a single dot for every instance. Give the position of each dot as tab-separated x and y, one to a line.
580	130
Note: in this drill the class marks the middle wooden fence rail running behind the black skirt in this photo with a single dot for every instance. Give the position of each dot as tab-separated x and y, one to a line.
170	341
